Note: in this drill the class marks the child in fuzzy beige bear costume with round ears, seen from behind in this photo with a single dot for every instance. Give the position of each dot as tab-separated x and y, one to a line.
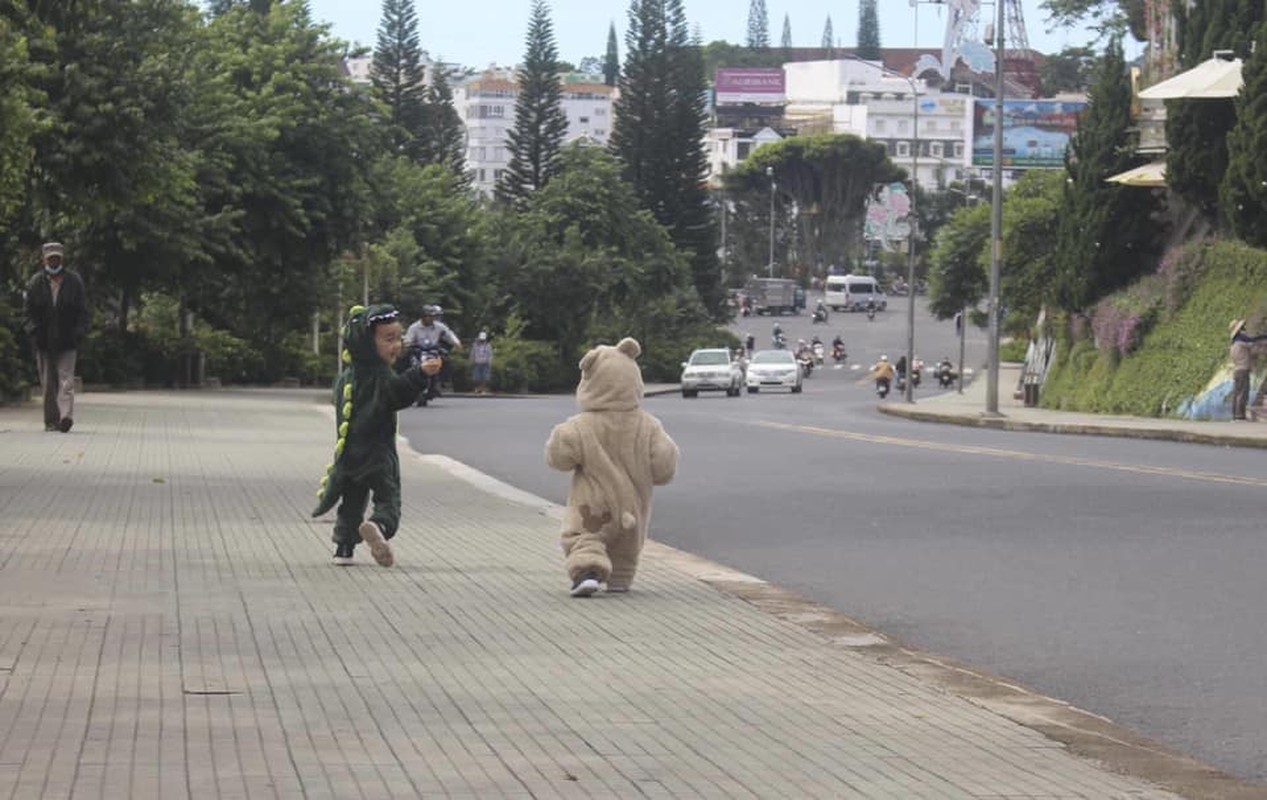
616	453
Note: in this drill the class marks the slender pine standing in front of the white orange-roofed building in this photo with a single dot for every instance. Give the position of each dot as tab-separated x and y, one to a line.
540	125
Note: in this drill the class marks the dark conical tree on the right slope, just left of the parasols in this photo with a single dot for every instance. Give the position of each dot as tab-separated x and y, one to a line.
1105	229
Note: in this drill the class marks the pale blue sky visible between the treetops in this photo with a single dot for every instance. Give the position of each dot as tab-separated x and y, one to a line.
492	31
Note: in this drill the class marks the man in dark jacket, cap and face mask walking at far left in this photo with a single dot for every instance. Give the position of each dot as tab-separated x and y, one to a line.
58	320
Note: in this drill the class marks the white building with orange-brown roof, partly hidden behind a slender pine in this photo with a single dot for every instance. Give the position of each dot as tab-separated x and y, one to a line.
486	105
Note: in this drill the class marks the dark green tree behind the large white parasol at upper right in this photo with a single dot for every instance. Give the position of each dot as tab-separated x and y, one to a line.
1197	131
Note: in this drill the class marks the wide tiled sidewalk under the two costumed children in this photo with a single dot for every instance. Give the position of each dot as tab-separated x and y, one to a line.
170	627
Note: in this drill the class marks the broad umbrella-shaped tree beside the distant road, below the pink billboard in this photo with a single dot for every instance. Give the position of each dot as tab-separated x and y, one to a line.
829	178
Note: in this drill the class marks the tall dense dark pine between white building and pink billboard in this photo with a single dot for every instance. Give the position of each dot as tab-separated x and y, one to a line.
658	135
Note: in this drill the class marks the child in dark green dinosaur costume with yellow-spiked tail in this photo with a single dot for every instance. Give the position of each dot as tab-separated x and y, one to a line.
367	399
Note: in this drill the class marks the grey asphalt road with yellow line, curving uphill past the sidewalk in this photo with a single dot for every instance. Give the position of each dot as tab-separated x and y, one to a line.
1122	576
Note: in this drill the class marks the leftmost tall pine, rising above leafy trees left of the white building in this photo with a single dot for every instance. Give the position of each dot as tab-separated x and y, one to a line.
397	75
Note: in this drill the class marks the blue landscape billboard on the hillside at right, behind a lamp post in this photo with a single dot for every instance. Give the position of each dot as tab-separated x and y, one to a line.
1036	132
